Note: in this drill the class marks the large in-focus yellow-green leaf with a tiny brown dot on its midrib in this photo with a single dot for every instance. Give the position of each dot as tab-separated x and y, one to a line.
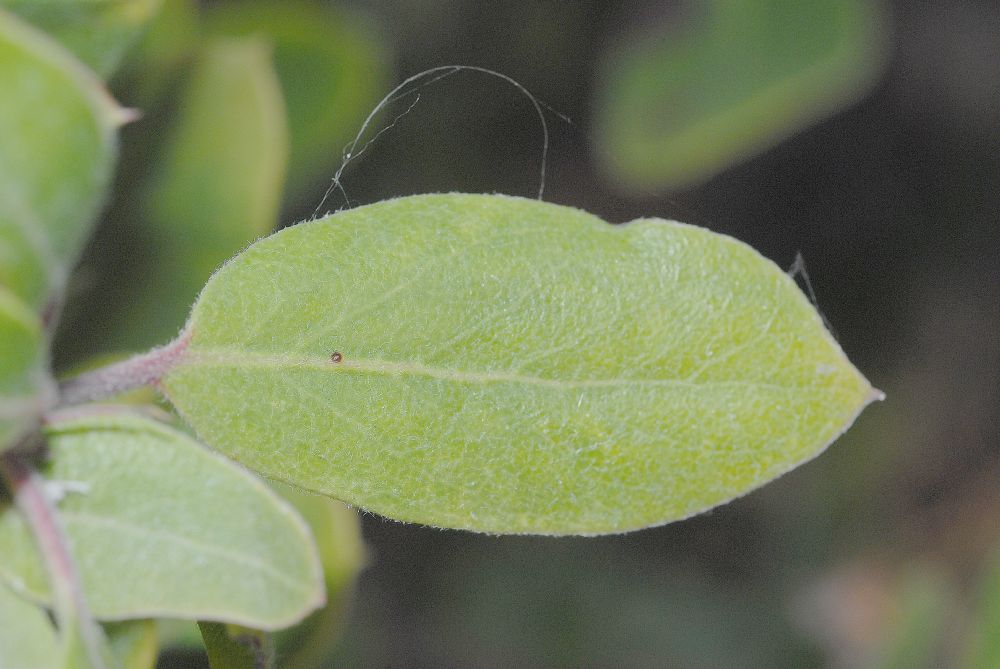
508	365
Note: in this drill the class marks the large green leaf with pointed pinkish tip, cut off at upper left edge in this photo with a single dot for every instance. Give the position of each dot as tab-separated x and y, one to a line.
57	150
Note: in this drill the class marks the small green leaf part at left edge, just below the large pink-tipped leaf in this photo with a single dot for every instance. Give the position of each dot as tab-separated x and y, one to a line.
25	387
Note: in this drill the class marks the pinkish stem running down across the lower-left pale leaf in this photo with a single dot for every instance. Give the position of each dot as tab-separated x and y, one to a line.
68	601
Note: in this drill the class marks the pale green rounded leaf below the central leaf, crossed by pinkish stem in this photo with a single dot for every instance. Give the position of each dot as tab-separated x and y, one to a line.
165	528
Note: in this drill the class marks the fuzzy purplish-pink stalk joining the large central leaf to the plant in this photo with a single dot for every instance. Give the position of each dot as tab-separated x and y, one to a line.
138	371
